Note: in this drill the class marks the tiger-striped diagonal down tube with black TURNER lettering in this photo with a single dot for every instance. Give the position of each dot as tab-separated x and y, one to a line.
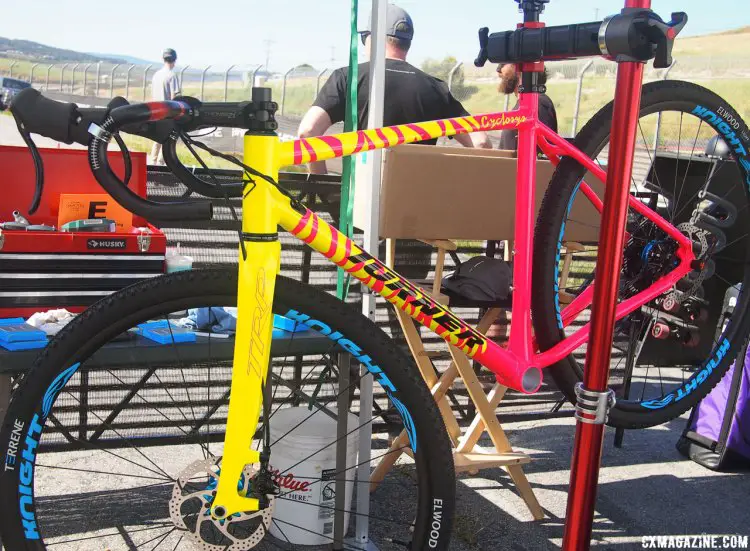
342	251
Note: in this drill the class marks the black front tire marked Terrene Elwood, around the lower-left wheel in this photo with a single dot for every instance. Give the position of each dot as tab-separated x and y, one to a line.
173	293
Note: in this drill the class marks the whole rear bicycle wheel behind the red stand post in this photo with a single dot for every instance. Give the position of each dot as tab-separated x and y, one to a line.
667	354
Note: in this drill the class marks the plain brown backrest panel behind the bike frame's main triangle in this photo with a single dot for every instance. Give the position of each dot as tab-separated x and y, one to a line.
433	192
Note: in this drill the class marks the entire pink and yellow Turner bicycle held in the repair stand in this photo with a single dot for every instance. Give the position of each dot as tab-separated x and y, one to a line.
670	258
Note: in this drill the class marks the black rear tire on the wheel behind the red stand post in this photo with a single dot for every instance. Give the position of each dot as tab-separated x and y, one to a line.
658	97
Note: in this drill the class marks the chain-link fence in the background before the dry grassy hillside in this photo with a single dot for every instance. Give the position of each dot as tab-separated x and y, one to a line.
577	88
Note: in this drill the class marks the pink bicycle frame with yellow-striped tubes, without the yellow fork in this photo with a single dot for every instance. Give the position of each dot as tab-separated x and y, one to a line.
518	365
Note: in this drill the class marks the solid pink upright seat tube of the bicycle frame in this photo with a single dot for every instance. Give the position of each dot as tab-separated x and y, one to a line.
520	333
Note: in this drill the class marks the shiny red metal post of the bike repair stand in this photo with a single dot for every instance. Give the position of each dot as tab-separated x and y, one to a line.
584	472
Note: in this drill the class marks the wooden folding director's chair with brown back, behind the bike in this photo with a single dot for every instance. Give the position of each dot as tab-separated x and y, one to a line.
436	195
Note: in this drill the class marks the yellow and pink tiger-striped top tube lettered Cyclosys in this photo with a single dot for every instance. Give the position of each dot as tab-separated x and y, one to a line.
322	148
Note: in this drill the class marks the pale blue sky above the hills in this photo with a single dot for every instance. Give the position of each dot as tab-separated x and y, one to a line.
224	32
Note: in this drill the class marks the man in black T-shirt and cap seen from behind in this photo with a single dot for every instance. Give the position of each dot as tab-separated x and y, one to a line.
410	94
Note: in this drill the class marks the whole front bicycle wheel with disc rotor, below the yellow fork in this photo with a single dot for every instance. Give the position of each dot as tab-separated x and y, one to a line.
113	441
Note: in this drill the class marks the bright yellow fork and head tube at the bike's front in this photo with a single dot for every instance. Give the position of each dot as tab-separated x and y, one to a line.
259	262
